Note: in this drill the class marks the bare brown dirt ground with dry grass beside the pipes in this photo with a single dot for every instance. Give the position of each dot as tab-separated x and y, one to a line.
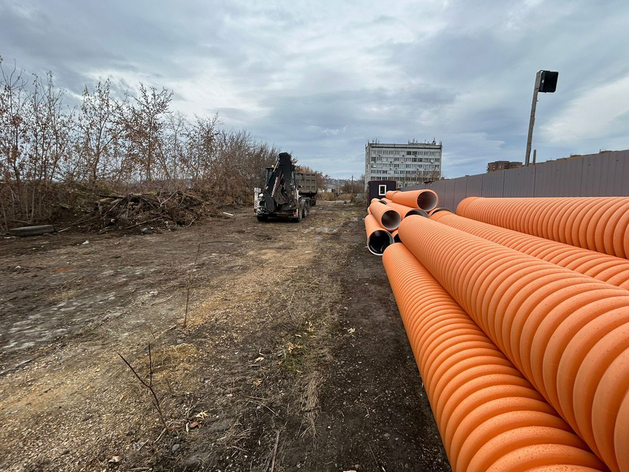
293	356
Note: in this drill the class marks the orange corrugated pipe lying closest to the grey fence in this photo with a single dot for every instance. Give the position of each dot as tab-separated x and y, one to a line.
597	223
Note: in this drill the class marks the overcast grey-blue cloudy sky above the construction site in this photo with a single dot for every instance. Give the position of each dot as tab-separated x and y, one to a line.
323	78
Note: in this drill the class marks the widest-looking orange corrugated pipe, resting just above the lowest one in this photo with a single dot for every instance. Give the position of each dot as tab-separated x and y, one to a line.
566	332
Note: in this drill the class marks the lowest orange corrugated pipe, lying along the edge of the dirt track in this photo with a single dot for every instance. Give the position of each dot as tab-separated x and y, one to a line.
489	416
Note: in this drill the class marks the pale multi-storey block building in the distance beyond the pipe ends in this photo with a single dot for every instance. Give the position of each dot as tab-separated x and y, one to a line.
407	164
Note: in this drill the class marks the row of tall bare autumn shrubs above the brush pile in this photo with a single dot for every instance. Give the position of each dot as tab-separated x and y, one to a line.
48	150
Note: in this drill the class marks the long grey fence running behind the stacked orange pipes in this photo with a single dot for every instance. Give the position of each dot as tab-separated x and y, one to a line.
595	175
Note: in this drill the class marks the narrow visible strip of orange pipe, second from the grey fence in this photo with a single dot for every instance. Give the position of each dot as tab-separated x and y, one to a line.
610	269
